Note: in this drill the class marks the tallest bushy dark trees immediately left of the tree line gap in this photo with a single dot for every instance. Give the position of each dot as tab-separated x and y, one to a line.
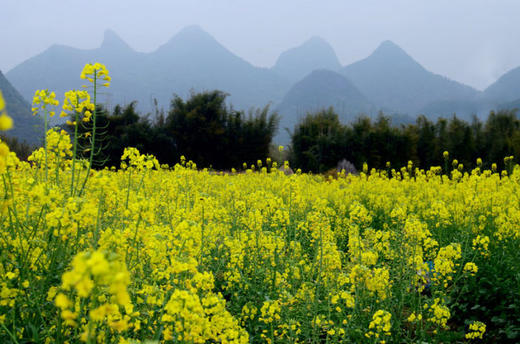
211	134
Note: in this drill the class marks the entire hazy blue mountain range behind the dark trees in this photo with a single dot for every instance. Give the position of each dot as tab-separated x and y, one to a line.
304	78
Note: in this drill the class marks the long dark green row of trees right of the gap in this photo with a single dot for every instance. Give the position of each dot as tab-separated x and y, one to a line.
319	141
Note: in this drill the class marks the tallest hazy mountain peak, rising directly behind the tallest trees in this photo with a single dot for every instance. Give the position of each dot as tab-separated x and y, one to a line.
193	59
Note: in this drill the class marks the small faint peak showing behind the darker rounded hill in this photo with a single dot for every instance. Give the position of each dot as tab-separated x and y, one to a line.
294	64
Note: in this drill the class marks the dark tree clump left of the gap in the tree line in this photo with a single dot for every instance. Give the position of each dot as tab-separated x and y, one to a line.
202	128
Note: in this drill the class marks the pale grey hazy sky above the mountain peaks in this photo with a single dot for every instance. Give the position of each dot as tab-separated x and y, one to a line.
471	41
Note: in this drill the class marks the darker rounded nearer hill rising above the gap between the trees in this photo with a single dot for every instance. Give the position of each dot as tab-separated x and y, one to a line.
320	89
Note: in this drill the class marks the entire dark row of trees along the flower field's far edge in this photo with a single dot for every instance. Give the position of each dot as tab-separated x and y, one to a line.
212	134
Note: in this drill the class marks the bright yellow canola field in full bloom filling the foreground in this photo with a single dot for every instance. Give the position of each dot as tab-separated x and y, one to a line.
145	253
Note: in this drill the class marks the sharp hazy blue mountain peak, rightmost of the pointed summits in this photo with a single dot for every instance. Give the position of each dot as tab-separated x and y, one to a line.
390	78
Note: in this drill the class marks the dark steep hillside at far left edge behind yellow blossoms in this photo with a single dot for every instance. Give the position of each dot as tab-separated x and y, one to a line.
26	126
